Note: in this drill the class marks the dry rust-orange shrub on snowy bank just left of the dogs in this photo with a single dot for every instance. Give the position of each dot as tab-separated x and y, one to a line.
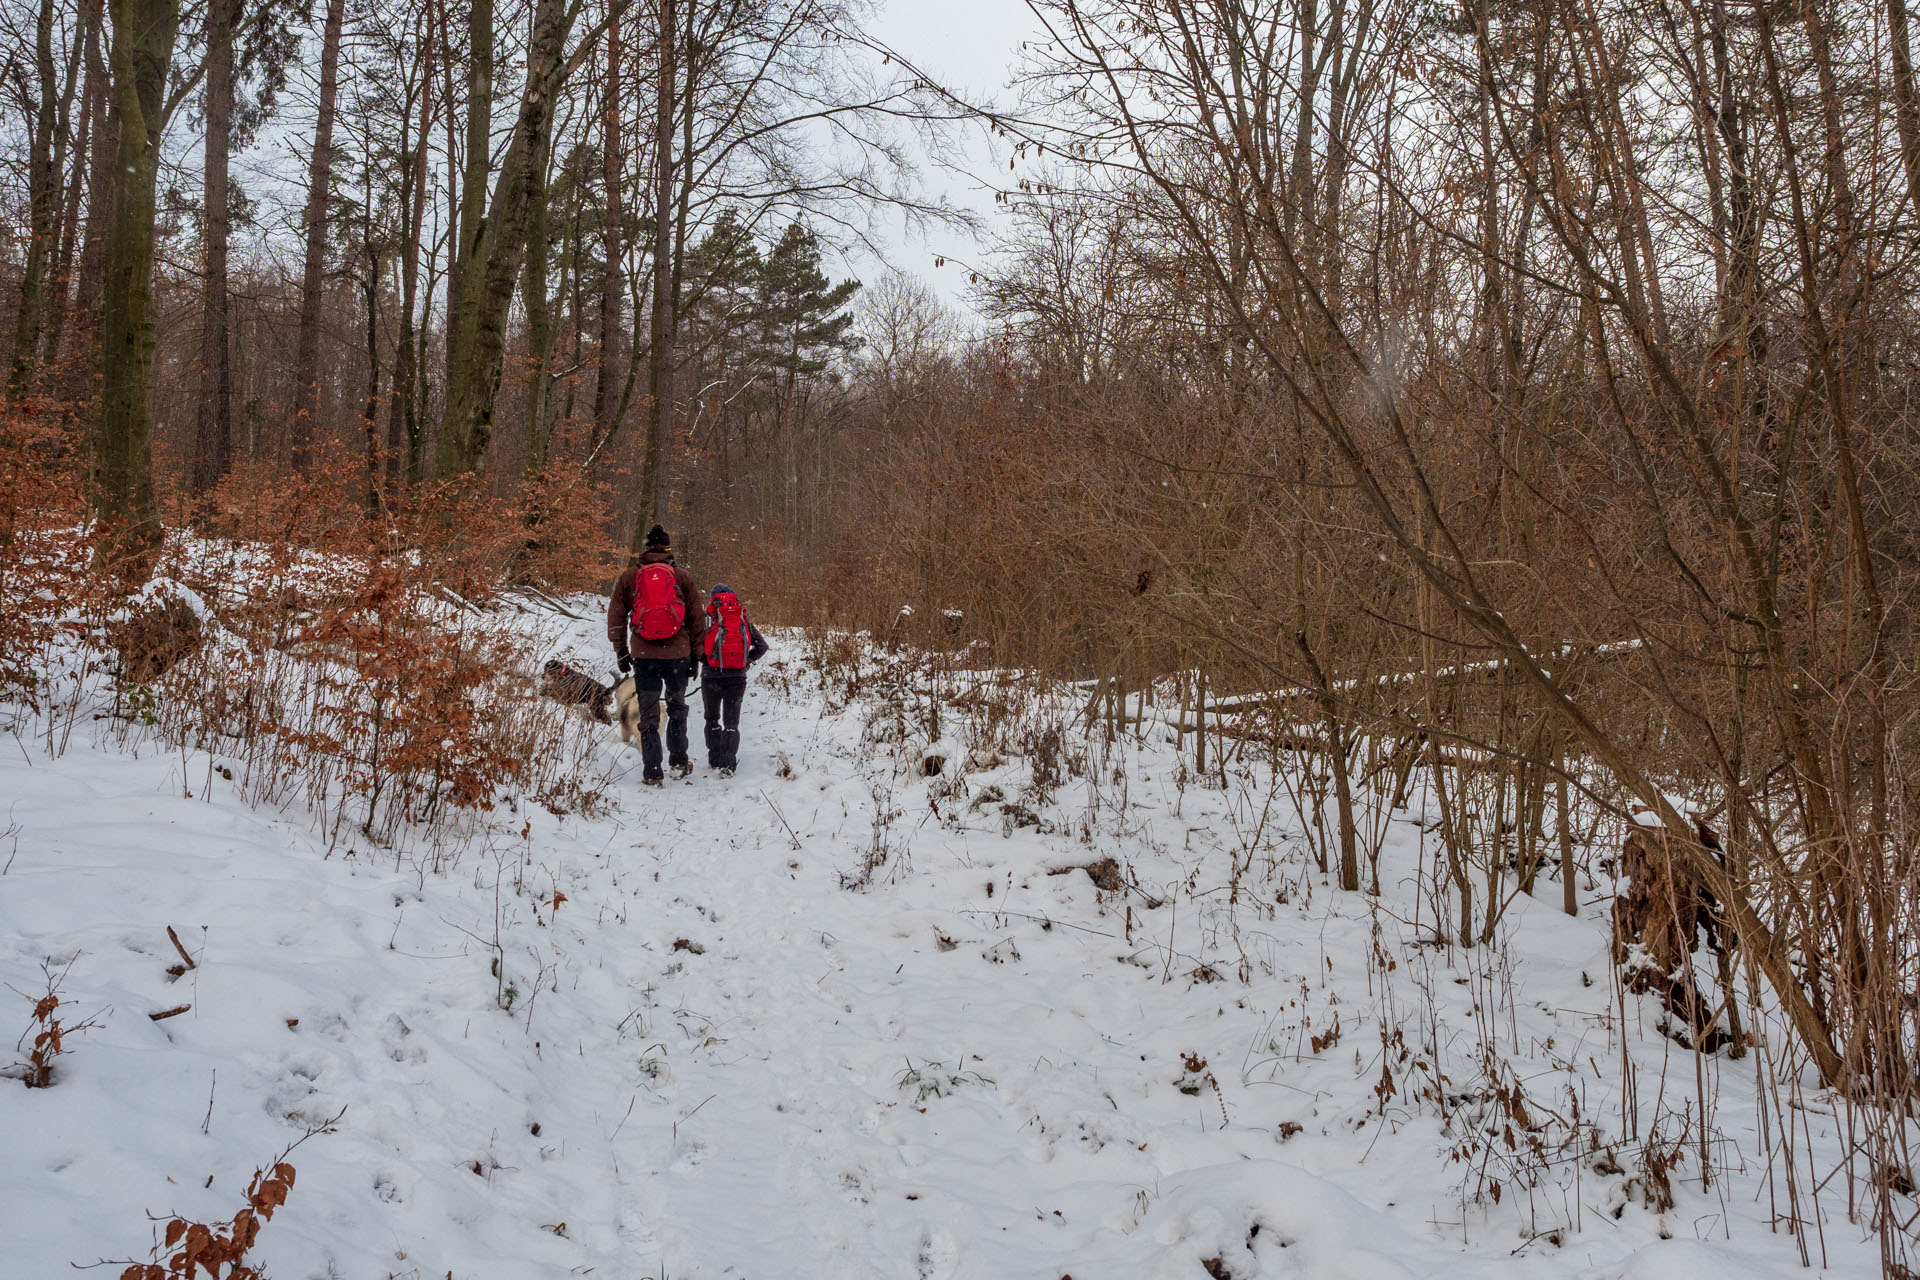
368	692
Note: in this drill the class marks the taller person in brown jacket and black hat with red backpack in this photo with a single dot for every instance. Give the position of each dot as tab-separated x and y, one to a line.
656	625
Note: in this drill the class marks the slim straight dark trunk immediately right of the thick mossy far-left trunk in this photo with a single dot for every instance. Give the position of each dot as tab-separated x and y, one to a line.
214	427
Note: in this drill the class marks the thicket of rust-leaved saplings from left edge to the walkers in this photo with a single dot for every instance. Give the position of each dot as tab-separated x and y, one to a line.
366	675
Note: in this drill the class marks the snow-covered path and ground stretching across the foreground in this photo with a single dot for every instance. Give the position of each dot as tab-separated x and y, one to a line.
732	1051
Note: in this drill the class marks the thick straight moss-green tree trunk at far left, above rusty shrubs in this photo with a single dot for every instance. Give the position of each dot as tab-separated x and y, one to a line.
122	465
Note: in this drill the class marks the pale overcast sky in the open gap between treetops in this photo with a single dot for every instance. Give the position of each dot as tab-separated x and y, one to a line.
971	45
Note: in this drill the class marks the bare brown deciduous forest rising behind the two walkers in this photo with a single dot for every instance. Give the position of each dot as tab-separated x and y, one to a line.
1510	396
